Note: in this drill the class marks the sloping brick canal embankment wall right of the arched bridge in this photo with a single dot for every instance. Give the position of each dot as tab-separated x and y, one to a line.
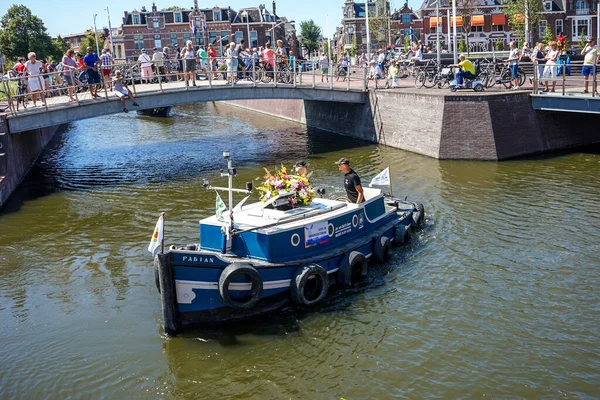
444	125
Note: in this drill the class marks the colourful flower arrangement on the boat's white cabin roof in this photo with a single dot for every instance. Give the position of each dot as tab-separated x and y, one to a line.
281	182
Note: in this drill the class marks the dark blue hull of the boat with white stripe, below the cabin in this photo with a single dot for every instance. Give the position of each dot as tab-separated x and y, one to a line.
192	282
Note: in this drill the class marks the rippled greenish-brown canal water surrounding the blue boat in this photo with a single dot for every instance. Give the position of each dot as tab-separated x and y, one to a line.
496	297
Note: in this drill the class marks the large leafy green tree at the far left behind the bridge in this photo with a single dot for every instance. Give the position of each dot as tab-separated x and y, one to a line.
22	32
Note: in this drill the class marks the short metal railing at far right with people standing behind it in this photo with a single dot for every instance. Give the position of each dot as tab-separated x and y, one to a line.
566	79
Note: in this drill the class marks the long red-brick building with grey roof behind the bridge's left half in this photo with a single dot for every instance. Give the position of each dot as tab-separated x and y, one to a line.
216	25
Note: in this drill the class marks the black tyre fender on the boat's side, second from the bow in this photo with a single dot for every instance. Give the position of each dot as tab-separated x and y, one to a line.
309	284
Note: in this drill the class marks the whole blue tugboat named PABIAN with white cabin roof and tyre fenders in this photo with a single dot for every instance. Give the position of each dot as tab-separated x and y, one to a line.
255	258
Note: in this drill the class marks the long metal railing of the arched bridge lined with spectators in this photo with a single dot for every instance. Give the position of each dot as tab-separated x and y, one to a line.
72	88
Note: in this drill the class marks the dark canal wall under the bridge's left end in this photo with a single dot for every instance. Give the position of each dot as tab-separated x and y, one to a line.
17	155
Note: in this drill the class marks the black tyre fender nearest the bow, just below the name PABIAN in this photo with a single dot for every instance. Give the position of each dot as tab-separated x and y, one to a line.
237	270
